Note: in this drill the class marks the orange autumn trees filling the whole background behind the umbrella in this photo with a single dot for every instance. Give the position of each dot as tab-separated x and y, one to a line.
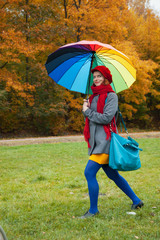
31	30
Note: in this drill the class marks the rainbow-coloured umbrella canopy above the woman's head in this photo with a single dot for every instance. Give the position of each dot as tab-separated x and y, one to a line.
70	66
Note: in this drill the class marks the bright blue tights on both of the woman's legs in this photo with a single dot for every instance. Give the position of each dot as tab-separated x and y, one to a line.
93	187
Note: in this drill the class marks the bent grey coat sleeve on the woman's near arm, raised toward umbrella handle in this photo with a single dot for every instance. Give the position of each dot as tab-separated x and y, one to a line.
109	111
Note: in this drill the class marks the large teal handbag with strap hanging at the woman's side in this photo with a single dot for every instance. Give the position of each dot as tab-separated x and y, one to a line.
124	153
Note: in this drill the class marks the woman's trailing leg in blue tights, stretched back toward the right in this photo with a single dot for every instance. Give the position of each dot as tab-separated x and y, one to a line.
121	183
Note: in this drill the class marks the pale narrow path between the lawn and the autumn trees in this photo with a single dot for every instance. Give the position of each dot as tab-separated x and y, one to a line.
77	138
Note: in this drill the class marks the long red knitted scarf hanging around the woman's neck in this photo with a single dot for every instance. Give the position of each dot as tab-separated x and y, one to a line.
102	91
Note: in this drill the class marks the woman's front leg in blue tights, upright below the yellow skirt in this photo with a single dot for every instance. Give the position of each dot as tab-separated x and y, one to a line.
93	187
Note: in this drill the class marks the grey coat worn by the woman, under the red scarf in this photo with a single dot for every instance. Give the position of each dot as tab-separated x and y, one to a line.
97	140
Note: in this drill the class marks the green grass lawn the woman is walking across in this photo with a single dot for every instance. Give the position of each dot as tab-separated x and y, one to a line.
43	190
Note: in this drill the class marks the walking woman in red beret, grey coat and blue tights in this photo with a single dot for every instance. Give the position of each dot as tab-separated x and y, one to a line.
100	113
